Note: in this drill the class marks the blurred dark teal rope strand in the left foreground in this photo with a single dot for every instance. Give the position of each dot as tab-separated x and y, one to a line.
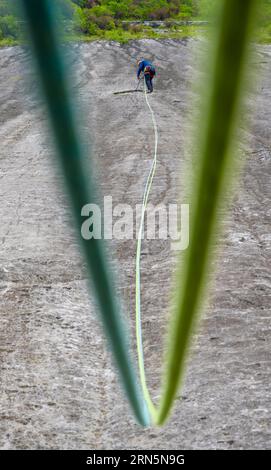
79	188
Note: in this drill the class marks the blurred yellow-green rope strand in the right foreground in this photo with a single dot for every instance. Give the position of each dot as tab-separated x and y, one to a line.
232	43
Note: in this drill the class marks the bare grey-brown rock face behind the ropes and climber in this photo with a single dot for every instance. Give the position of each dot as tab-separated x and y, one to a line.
59	389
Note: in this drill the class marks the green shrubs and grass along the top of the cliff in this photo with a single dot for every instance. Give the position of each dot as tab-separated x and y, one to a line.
110	19
